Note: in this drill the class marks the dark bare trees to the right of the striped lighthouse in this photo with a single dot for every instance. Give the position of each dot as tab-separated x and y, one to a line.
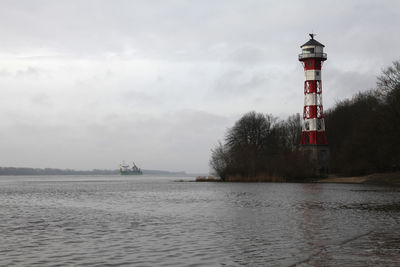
364	132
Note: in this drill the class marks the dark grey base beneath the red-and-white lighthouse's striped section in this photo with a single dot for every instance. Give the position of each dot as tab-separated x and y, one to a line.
319	157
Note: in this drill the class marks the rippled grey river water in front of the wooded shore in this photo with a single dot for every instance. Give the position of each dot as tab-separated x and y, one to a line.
154	221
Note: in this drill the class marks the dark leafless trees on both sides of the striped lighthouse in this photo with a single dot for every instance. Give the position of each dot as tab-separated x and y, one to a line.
363	135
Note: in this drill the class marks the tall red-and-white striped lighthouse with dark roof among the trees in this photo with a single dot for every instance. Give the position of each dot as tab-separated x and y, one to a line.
313	136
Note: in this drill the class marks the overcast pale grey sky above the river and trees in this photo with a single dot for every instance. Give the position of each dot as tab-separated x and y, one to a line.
87	84
